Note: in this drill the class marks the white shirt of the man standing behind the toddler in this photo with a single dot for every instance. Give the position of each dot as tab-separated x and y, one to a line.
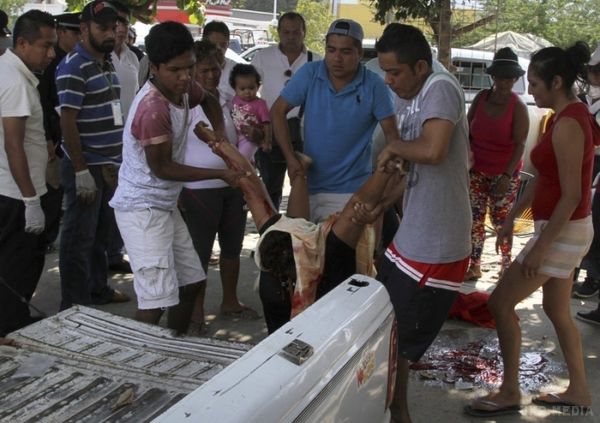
272	65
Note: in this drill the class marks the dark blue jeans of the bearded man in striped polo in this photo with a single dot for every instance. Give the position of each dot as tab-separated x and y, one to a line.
83	241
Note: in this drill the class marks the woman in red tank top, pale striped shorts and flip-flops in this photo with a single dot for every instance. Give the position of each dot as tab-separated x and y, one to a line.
560	198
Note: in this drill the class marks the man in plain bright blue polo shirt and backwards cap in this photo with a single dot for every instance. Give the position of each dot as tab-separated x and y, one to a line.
343	102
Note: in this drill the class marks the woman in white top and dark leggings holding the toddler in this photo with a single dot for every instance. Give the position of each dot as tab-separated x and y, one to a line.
212	206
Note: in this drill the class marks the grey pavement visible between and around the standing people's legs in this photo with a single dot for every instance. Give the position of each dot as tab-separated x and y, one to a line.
431	399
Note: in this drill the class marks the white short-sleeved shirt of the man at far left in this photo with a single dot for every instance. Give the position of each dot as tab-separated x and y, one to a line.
19	97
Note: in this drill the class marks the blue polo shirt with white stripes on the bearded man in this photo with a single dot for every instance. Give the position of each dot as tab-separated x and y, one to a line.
90	87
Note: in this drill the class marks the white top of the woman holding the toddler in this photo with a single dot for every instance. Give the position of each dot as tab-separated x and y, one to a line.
199	154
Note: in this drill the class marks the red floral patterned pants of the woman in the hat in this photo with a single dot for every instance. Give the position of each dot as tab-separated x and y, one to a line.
482	199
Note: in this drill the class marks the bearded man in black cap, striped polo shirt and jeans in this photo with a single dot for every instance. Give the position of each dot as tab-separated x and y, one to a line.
92	127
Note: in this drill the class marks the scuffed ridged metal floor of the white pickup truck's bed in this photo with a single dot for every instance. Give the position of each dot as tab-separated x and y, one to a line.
76	366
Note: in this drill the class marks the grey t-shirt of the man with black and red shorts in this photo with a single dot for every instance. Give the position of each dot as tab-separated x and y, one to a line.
436	208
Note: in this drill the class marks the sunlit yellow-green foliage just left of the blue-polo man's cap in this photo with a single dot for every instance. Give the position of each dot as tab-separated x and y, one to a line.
318	17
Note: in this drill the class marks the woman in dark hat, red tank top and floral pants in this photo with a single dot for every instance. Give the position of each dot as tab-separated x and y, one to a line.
498	123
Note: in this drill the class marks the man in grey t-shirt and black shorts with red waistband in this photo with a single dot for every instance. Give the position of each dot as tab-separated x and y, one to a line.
425	264
